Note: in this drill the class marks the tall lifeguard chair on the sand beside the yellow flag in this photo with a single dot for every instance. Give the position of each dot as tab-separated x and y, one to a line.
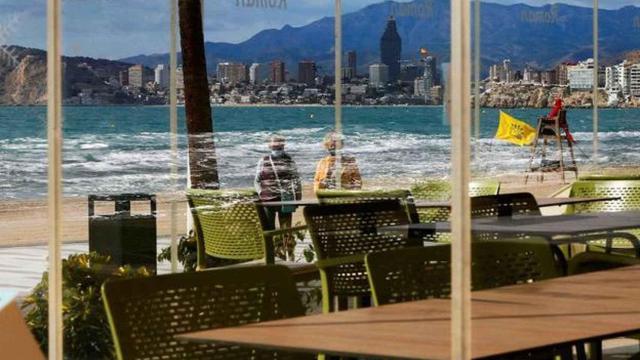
552	131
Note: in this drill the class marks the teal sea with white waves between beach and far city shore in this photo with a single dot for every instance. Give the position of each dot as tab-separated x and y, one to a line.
127	149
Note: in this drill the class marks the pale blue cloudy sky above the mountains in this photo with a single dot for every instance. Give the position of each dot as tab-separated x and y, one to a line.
118	28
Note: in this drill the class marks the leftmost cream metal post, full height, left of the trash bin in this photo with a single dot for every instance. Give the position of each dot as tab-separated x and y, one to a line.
54	198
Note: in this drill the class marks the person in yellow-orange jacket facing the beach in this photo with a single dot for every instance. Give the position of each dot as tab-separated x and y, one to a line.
336	172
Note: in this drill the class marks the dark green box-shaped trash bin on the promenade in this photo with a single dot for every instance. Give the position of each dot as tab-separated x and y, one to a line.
128	239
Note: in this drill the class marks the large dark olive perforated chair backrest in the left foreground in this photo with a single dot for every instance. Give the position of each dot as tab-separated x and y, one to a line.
146	314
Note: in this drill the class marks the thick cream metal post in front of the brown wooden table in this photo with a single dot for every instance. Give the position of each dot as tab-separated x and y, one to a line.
460	205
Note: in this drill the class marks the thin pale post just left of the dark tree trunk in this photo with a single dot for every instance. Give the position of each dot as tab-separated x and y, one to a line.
173	128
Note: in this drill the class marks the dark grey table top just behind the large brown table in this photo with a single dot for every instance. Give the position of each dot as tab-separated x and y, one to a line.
576	224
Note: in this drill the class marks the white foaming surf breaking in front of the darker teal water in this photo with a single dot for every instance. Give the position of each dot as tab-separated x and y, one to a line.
122	162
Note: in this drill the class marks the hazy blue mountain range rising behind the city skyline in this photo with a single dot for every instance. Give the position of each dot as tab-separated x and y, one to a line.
539	36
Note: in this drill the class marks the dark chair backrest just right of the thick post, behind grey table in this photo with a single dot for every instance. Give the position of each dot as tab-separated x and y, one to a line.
504	205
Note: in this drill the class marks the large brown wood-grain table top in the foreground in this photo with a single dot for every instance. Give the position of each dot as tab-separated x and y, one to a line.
504	320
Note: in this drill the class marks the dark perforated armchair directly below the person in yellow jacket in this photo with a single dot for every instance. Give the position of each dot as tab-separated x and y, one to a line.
343	234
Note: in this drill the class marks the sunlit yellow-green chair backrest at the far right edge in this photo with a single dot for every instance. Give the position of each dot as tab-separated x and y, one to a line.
627	190
